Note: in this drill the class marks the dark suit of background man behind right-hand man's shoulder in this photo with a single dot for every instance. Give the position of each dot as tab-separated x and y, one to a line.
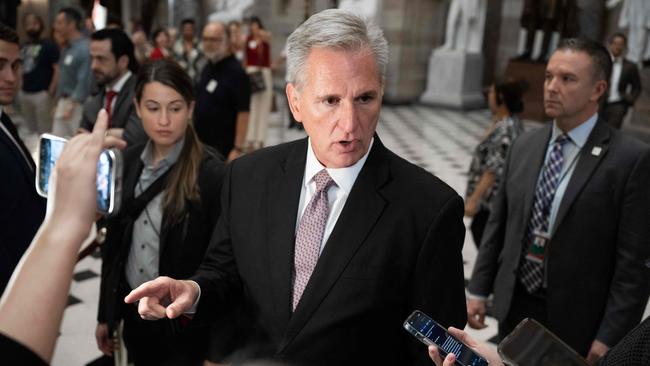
629	89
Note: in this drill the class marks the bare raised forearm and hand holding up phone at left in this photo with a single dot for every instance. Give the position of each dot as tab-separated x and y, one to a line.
43	274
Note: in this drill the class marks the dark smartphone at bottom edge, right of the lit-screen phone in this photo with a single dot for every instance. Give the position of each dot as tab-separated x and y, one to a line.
530	344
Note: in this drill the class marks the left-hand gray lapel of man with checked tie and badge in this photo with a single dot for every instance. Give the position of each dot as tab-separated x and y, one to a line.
535	161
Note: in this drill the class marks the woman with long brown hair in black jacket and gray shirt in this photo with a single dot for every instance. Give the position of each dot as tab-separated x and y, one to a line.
170	206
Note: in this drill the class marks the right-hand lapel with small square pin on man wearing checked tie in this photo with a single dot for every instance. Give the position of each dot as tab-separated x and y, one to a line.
585	167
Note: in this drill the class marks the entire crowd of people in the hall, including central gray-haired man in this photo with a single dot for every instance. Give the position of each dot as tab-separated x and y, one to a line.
315	251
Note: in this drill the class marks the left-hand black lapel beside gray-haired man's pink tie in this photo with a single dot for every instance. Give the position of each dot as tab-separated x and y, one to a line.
282	207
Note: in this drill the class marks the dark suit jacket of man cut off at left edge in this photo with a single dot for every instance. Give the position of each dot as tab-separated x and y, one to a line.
21	208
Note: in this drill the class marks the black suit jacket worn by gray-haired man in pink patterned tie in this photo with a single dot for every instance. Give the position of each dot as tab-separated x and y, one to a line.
396	247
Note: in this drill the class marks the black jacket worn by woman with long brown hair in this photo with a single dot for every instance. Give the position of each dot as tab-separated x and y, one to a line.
182	244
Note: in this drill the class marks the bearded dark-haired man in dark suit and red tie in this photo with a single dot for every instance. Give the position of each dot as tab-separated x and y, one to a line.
113	64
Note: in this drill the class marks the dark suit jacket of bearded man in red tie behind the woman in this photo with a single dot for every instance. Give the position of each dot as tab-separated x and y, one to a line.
124	115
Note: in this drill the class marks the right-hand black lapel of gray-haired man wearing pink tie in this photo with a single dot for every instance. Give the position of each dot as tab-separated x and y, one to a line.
348	235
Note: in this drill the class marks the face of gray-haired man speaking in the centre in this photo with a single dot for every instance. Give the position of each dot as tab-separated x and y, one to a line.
338	104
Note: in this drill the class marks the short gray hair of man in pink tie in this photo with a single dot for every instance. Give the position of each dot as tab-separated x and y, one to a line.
337	29
